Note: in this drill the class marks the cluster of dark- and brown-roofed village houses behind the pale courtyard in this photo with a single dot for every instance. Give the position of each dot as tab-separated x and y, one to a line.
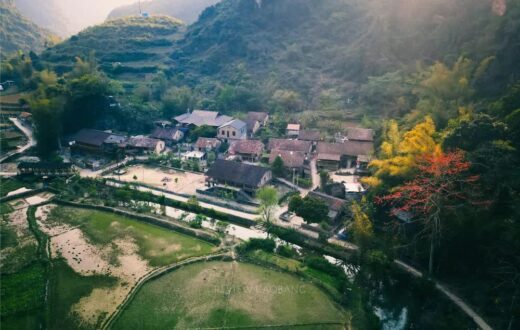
296	150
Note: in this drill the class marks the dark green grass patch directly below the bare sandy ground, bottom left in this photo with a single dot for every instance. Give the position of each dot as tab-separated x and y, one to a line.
66	288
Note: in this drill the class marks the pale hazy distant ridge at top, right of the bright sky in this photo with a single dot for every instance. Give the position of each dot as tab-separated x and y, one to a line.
185	10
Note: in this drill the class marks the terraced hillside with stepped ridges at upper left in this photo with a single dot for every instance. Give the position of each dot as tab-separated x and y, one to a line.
123	46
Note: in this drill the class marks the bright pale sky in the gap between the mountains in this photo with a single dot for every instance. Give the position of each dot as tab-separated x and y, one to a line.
83	13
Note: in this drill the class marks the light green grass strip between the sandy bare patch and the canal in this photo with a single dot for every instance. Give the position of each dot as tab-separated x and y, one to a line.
158	245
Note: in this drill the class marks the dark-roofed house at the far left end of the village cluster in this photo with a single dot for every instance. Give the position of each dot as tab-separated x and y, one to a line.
96	142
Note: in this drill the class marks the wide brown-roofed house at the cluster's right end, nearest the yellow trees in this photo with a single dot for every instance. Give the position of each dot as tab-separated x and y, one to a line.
333	156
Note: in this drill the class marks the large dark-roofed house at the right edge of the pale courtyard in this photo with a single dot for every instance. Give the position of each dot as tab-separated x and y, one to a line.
244	176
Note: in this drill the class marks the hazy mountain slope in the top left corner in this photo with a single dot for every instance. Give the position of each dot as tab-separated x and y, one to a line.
18	33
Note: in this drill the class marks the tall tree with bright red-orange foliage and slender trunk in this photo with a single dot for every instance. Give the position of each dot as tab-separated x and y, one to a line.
442	182
